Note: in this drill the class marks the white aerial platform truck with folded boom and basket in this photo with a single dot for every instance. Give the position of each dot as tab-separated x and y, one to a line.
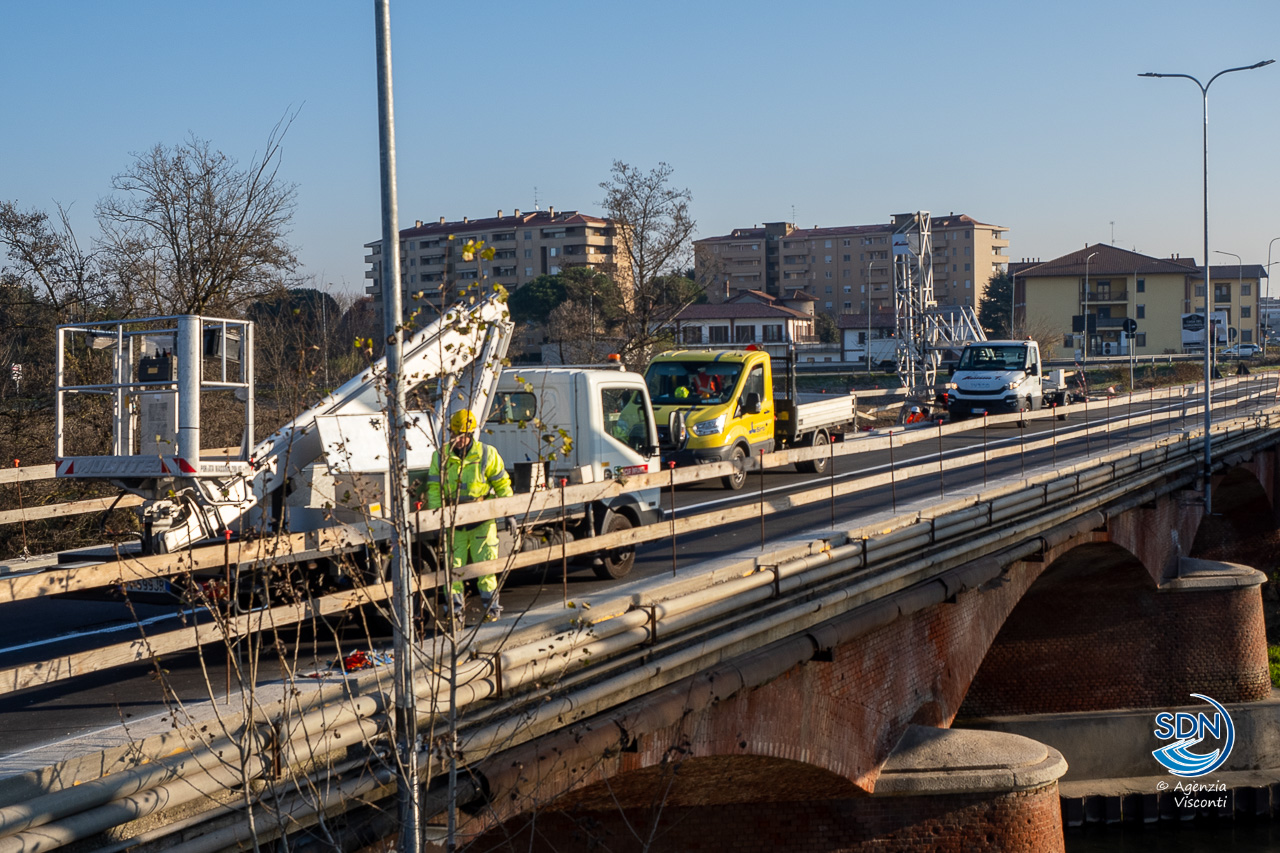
330	466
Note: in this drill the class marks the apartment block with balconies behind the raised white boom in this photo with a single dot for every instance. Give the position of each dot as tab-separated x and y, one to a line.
527	245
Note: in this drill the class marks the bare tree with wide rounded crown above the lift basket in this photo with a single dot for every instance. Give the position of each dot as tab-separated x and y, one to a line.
189	231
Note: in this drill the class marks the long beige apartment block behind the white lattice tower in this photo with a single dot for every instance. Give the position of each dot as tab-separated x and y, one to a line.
848	268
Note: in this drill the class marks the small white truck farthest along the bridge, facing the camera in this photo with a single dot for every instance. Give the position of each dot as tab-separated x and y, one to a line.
999	377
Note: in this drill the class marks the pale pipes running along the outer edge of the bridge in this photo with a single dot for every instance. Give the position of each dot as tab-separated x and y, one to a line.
554	676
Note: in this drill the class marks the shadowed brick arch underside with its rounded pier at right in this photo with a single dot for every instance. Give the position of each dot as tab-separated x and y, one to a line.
1095	632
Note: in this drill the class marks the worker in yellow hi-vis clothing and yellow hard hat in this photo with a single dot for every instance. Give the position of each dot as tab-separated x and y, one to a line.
473	472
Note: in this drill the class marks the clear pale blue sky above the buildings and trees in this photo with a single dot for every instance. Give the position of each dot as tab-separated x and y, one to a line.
1025	115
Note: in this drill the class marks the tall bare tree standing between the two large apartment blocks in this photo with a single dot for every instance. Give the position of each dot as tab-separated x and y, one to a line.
653	230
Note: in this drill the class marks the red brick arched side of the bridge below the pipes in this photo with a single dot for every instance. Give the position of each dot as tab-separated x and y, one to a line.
784	749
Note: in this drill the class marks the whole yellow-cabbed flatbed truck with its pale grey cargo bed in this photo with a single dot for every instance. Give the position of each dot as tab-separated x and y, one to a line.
725	407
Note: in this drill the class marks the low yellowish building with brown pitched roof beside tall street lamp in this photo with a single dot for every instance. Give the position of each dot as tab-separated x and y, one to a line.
1109	286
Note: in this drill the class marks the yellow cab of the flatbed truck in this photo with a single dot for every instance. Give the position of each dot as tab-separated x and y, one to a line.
712	407
